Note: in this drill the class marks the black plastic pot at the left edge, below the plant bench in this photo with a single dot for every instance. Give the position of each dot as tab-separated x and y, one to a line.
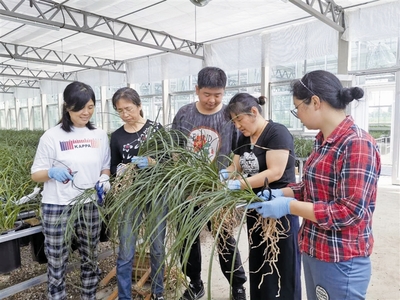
10	253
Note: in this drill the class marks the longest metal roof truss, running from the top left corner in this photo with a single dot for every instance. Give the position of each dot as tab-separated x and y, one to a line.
55	14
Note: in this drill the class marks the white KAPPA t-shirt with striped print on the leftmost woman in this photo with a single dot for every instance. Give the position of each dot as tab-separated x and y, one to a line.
83	150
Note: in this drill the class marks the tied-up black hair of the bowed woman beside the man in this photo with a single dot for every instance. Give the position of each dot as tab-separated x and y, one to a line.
242	103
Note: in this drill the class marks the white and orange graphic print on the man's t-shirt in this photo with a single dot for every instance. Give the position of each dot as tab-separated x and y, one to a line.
206	140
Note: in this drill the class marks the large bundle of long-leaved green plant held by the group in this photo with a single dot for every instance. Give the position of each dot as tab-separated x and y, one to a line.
188	184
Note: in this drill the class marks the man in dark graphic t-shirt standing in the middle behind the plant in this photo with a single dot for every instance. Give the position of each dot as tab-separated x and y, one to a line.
204	124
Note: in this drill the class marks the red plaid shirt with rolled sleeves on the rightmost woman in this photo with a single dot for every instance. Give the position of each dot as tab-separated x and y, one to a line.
340	179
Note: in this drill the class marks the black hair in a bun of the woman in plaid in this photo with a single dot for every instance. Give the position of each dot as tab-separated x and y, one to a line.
327	87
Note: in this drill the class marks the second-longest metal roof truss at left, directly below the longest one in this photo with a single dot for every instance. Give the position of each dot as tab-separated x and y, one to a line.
40	55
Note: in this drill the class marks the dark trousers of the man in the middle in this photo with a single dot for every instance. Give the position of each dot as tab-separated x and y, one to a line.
226	255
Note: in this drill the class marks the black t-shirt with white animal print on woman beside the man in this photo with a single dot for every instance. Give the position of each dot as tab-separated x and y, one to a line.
252	157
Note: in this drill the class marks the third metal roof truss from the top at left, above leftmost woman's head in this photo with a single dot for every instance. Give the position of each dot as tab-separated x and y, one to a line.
27	73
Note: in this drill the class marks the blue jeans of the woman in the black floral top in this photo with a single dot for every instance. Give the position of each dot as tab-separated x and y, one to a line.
127	243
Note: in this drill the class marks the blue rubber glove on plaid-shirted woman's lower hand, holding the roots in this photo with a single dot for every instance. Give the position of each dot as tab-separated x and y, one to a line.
276	208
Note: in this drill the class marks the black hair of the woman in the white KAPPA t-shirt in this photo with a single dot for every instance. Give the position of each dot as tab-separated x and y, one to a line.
76	95
